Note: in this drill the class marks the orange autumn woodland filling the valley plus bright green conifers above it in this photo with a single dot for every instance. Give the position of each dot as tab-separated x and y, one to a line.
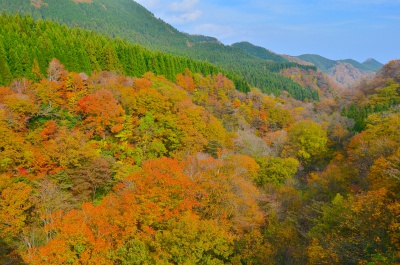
109	157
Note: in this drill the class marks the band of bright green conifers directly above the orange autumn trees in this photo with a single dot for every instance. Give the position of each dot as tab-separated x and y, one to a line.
27	46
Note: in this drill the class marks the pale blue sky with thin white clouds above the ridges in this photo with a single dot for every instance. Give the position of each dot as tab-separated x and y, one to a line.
335	29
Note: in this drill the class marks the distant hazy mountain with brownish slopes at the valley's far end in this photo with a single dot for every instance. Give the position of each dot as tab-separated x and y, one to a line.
346	72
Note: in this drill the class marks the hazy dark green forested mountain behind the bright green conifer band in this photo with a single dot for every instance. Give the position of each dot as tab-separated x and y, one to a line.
128	20
